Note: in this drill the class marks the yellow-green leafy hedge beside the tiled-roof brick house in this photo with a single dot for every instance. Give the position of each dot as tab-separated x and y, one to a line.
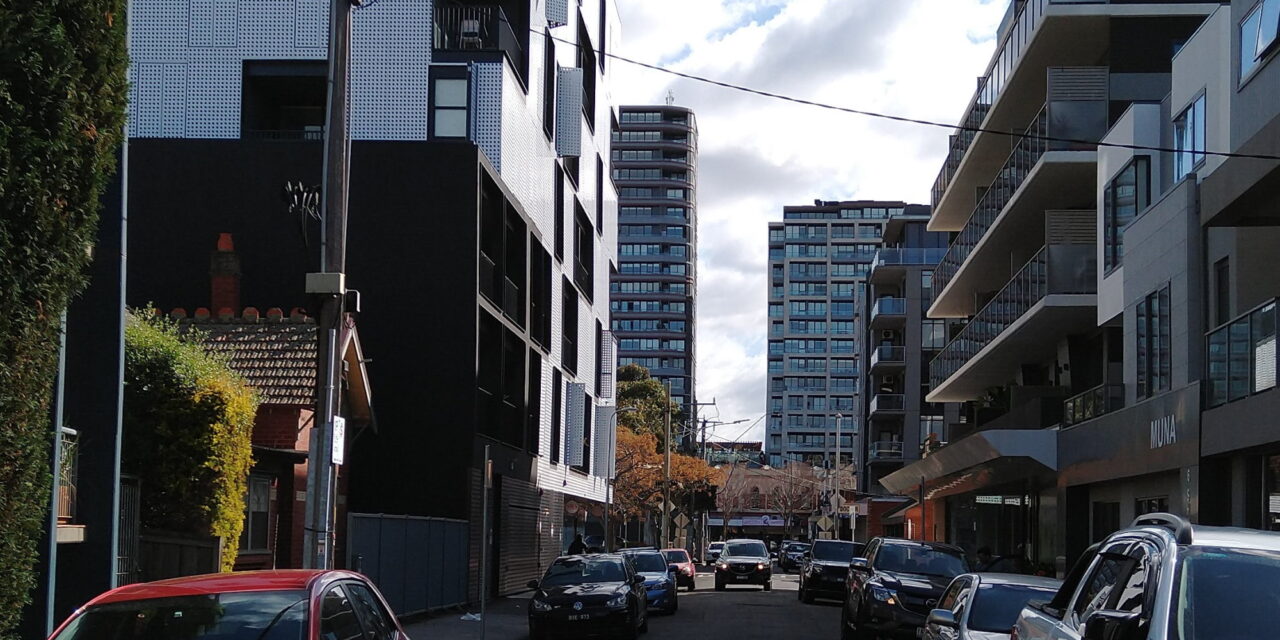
189	424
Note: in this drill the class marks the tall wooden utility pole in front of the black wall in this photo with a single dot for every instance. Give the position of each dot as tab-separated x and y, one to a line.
330	287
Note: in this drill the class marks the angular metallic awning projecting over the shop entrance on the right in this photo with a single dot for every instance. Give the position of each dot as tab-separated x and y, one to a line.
982	459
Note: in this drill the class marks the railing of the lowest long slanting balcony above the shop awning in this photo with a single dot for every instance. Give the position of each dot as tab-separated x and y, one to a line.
1054	269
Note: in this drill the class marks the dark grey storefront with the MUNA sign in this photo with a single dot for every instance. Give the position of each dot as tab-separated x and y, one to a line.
1133	461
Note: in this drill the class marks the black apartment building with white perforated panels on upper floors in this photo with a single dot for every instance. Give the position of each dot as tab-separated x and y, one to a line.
483	231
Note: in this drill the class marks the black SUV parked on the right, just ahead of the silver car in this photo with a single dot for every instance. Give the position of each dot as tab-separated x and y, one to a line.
894	588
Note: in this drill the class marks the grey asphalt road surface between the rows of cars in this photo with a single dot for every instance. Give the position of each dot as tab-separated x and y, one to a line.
738	614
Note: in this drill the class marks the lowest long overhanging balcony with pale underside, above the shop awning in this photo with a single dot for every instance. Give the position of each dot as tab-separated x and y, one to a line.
1050	298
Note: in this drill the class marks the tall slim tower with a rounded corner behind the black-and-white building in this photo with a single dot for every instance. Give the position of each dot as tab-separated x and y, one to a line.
653	296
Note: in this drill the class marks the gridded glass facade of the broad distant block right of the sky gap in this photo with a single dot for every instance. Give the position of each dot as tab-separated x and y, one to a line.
820	259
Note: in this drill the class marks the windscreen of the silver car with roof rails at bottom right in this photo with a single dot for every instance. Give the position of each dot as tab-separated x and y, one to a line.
1209	607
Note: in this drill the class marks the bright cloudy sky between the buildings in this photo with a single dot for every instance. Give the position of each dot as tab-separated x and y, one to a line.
913	58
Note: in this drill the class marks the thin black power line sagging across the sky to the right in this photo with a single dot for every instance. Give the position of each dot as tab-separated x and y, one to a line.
903	118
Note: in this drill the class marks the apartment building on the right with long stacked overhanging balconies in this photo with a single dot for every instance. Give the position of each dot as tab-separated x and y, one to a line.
1048	336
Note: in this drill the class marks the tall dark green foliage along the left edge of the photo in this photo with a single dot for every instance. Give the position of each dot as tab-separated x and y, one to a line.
62	116
